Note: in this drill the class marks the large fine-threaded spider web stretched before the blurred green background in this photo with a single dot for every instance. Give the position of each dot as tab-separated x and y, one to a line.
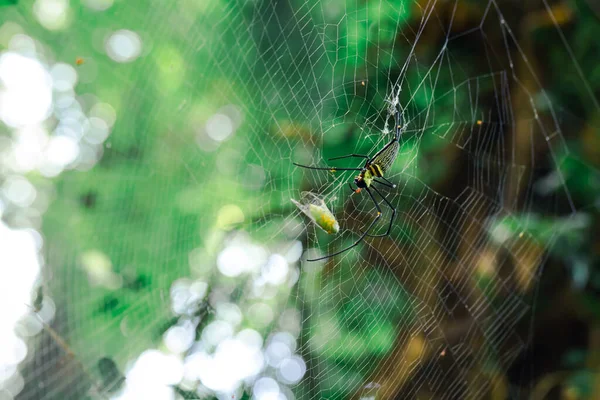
188	270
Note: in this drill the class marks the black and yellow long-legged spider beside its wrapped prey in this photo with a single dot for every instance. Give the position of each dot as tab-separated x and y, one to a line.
374	167
